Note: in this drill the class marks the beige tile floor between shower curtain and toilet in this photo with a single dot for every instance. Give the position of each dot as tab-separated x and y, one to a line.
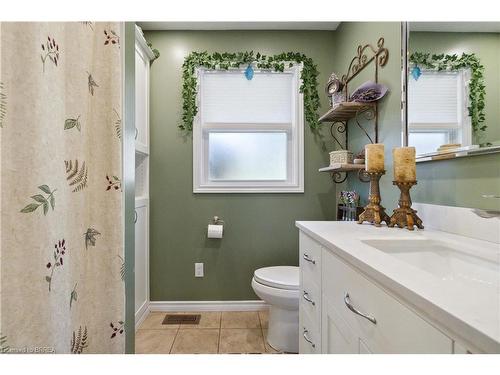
217	332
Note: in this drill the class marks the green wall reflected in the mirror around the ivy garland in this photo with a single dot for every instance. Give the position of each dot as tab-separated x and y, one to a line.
486	46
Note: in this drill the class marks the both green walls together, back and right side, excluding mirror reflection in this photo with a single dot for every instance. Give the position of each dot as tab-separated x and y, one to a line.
260	228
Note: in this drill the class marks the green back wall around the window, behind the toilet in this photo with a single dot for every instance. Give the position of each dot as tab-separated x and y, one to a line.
259	228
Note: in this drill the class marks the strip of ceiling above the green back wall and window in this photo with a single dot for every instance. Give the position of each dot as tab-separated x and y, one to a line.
239	25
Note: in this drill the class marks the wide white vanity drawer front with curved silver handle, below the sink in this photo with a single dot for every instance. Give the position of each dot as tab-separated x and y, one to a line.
396	329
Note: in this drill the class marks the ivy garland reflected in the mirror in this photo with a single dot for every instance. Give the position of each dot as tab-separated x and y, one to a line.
477	88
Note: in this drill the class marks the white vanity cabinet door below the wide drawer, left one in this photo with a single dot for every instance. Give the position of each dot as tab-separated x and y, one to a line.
336	335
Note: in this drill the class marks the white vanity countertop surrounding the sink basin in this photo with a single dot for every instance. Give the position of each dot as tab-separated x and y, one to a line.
470	313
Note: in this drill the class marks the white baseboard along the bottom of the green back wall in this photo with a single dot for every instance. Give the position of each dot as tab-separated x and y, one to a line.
207	305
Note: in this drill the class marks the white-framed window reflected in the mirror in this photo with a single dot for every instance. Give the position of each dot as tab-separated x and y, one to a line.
438	112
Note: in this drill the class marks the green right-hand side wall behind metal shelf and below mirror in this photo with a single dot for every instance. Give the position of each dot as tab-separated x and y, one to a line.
458	182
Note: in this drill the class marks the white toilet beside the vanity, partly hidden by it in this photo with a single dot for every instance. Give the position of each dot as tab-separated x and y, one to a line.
279	288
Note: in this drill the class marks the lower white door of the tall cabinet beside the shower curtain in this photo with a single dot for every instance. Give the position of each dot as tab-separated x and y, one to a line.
141	257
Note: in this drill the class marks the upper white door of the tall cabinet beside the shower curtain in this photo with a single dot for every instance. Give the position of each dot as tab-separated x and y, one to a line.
141	100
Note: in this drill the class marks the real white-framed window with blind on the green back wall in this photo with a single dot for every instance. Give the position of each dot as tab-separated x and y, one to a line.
248	134
